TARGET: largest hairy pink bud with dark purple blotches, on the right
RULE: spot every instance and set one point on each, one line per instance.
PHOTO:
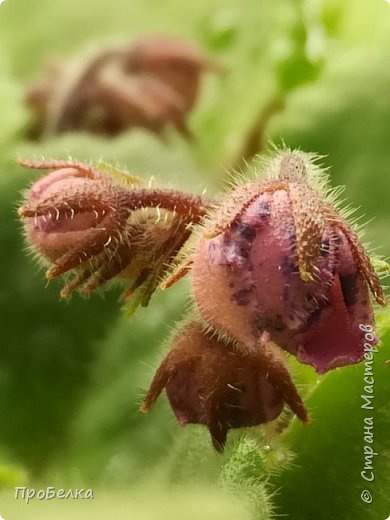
(277, 257)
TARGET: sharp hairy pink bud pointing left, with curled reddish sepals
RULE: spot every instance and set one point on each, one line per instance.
(106, 224)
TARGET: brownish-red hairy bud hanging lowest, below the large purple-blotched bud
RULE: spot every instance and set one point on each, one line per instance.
(211, 382)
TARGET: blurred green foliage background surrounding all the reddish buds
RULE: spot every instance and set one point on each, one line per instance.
(72, 374)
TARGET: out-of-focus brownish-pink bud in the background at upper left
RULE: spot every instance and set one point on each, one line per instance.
(152, 83)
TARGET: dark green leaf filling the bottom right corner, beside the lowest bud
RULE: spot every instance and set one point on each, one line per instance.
(326, 480)
